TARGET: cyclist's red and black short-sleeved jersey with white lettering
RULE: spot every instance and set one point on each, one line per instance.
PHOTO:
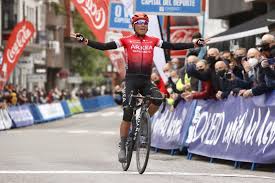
(139, 53)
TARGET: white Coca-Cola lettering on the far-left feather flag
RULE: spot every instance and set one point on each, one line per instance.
(21, 38)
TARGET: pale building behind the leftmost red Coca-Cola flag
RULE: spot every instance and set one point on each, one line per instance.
(14, 11)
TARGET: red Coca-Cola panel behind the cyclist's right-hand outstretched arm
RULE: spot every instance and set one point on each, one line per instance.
(181, 34)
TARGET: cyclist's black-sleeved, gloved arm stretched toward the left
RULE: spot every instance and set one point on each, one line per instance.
(94, 44)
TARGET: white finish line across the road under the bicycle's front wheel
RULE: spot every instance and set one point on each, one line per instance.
(133, 173)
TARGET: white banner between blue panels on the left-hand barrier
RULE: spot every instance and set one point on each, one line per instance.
(51, 111)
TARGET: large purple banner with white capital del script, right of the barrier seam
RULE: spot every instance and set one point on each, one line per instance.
(235, 129)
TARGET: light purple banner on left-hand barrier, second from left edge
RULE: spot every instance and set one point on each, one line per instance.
(21, 115)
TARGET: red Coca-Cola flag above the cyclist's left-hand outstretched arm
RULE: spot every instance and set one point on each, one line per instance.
(95, 14)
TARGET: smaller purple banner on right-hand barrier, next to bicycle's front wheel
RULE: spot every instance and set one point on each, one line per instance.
(169, 129)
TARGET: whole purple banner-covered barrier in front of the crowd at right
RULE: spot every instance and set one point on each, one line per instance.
(237, 129)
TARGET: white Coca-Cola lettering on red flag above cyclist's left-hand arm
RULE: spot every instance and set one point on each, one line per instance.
(96, 14)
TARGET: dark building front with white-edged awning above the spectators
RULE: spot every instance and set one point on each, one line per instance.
(247, 21)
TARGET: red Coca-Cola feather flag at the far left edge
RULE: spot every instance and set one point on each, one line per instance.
(19, 38)
